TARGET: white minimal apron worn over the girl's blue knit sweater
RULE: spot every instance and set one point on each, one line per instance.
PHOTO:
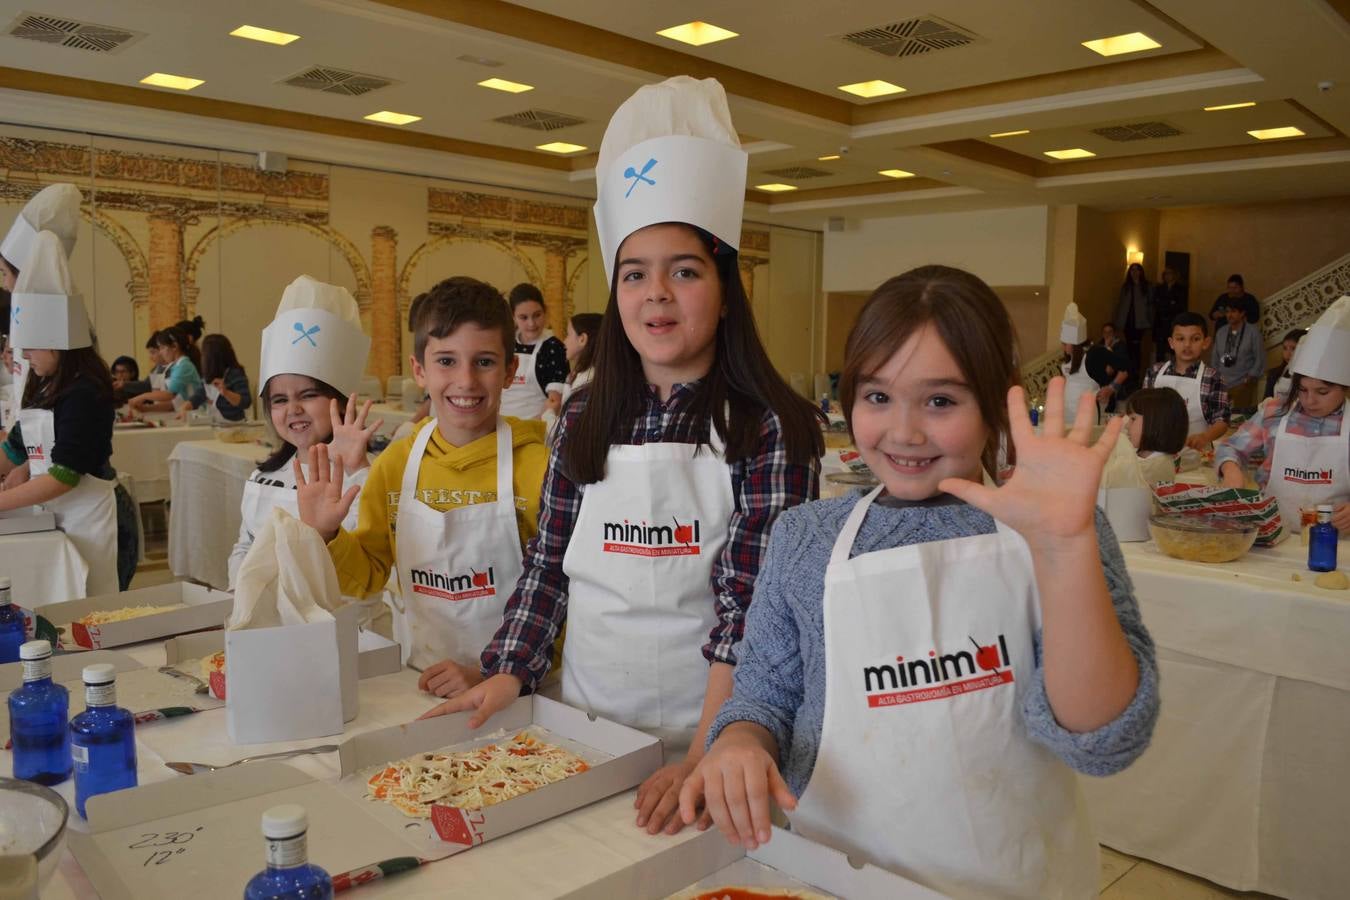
(925, 766)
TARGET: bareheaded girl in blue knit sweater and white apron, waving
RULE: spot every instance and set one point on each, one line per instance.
(970, 647)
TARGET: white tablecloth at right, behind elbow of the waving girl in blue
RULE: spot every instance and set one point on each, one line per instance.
(1247, 781)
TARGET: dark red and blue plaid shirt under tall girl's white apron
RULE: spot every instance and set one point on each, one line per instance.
(763, 486)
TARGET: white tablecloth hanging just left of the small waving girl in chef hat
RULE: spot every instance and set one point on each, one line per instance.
(209, 485)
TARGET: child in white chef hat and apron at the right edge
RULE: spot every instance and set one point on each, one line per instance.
(1305, 441)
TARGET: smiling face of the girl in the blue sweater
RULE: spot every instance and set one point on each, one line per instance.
(917, 422)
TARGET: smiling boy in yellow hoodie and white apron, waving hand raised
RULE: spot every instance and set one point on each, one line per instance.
(450, 507)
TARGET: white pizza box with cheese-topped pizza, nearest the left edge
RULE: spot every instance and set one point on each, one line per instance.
(205, 609)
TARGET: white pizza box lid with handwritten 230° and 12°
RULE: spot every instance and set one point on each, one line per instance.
(200, 837)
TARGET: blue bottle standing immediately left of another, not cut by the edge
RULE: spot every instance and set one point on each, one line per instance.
(38, 716)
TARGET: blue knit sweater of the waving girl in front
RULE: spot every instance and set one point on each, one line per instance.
(781, 662)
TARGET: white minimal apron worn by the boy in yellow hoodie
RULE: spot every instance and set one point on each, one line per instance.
(456, 569)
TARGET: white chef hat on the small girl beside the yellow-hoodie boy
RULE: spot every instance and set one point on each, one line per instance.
(318, 334)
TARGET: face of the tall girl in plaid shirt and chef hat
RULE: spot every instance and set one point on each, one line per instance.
(670, 302)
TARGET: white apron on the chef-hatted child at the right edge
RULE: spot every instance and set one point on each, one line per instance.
(1306, 472)
